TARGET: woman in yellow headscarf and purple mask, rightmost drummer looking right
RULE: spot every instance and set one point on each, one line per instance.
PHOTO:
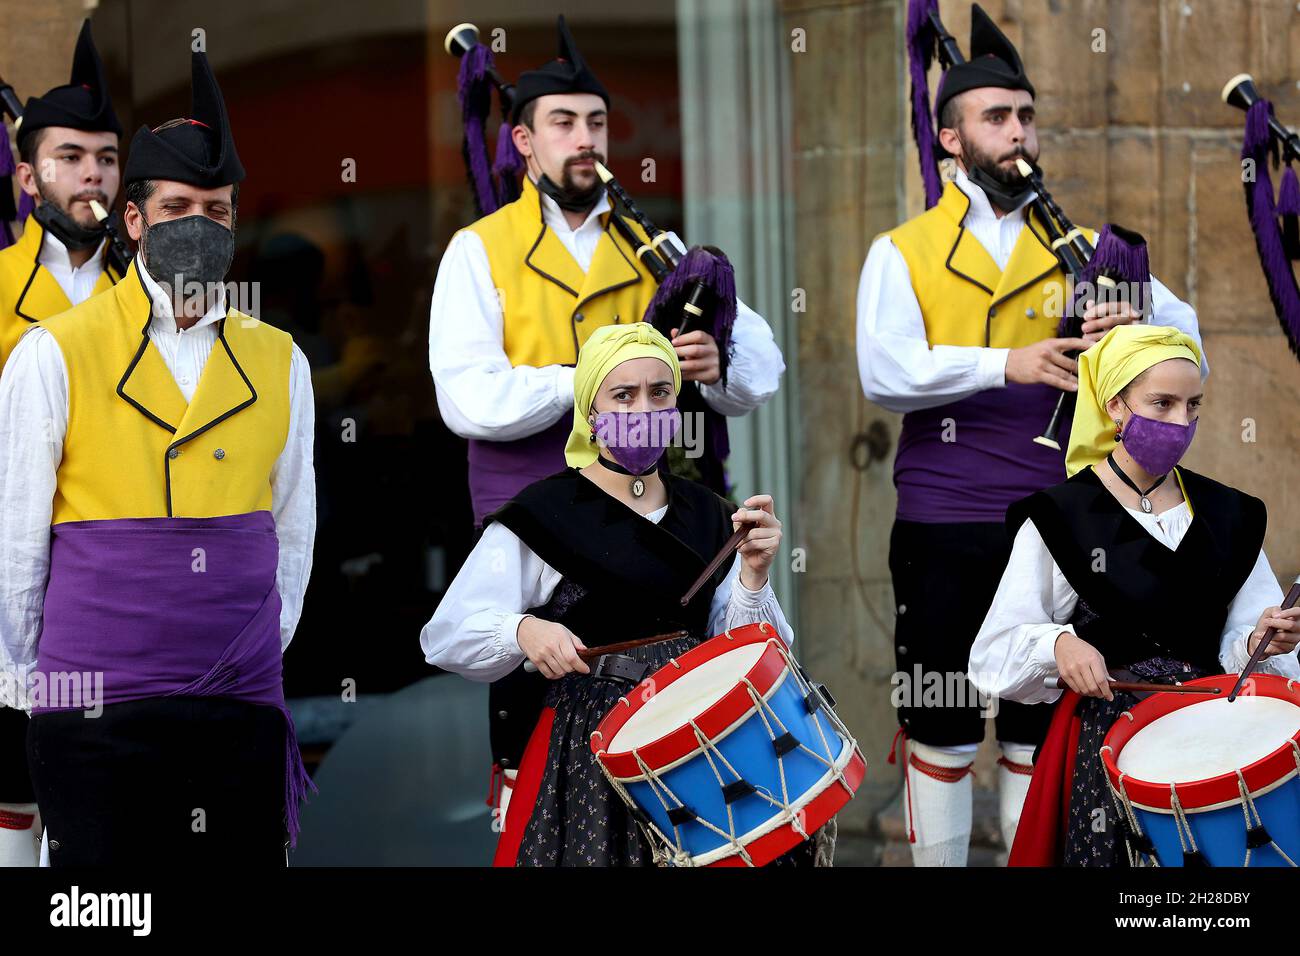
(1134, 569)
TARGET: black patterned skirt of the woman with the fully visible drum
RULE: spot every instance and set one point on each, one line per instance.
(578, 819)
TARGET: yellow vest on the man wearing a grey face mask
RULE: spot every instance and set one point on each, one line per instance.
(135, 447)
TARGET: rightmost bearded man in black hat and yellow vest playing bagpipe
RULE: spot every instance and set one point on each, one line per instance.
(957, 330)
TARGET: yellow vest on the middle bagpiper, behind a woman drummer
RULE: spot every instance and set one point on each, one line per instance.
(551, 306)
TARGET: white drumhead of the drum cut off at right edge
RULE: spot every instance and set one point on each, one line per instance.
(1208, 739)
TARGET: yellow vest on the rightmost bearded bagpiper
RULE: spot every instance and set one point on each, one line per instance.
(965, 299)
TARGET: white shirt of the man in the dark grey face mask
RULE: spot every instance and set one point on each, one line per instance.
(33, 426)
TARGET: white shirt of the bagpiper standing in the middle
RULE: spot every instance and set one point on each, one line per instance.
(483, 396)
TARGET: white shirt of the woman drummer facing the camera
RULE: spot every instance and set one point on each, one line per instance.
(474, 633)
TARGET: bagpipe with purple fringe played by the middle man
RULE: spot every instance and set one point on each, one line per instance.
(696, 287)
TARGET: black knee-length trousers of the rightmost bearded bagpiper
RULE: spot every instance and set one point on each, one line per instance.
(944, 579)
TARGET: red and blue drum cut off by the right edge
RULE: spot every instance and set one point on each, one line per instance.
(1199, 781)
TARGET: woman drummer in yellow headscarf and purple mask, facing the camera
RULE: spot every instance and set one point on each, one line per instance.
(597, 555)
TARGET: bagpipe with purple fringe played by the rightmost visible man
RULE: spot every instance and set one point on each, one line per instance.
(1116, 269)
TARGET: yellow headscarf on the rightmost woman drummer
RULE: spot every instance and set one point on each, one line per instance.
(1123, 354)
